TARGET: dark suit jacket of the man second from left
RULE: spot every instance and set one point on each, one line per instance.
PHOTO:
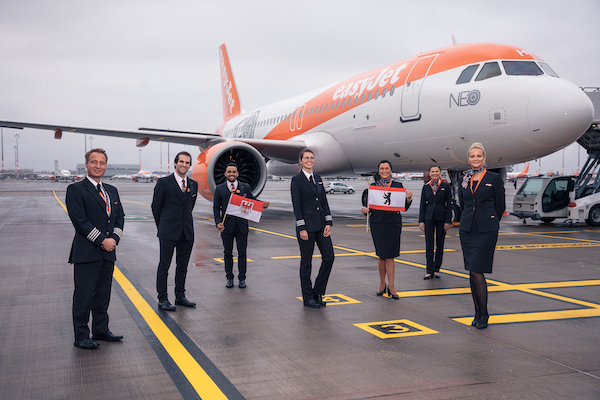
(172, 208)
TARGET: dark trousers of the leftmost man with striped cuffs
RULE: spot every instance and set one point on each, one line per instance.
(93, 282)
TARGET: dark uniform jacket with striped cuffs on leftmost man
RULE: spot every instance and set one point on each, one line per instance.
(87, 211)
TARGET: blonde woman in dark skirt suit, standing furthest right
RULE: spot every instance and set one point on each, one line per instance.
(482, 202)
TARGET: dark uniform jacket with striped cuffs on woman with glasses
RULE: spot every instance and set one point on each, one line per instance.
(310, 204)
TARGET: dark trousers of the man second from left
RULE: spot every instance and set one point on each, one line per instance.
(182, 257)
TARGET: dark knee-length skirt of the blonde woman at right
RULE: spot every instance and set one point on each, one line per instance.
(478, 249)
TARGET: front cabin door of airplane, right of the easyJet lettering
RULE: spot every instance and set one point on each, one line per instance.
(411, 89)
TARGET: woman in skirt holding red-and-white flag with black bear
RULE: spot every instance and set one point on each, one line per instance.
(385, 201)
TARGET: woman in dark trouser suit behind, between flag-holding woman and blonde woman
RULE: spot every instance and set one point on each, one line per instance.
(435, 215)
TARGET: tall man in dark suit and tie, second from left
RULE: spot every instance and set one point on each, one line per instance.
(172, 204)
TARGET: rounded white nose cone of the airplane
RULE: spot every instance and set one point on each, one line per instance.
(559, 113)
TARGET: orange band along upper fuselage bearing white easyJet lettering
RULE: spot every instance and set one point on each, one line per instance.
(384, 78)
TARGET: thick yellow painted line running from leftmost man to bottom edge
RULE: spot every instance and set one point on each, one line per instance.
(198, 378)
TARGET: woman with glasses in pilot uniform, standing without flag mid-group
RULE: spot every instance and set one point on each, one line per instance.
(313, 225)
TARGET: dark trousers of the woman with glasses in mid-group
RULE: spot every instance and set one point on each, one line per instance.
(307, 247)
